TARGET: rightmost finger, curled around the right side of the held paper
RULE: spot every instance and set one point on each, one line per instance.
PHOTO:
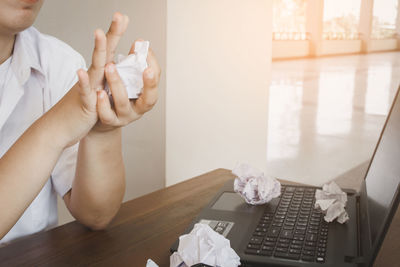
(149, 96)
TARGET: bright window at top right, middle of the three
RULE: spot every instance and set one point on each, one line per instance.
(341, 19)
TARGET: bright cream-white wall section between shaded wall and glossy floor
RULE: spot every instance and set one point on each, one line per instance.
(218, 62)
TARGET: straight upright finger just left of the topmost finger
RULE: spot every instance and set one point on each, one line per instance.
(96, 70)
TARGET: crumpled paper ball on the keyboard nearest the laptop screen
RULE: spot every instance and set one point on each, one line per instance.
(332, 201)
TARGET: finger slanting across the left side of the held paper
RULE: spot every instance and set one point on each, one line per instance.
(118, 91)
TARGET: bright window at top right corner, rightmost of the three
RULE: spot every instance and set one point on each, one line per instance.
(384, 19)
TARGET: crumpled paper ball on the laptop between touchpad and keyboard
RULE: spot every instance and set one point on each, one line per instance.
(254, 186)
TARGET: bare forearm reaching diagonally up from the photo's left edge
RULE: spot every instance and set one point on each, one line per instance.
(27, 165)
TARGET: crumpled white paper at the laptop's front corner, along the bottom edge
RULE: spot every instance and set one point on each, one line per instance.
(204, 245)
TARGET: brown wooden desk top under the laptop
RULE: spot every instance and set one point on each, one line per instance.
(143, 228)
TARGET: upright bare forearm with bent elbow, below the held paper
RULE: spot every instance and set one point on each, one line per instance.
(99, 184)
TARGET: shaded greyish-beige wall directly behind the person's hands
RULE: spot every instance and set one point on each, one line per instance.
(74, 22)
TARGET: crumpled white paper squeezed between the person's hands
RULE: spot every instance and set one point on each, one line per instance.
(130, 68)
